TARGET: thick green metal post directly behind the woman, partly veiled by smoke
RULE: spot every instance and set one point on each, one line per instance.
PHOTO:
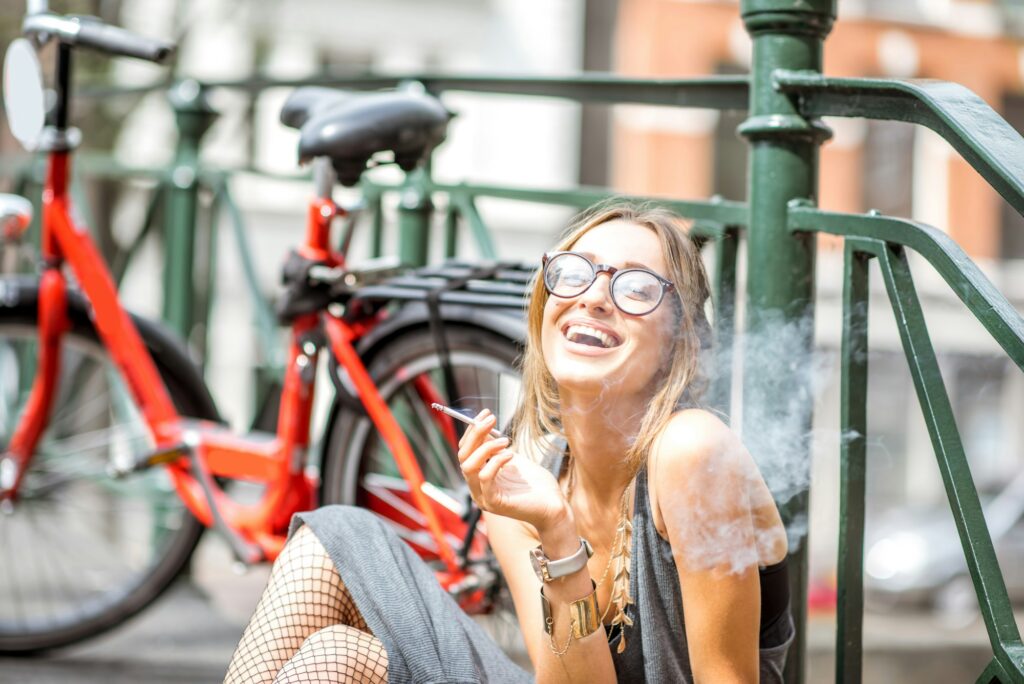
(786, 34)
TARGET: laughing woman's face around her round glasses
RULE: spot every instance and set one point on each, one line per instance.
(632, 350)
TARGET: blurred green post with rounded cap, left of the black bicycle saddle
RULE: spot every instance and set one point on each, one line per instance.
(194, 116)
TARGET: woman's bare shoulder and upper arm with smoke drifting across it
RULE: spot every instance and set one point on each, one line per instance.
(721, 524)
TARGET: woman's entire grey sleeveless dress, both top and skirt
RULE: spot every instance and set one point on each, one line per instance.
(430, 639)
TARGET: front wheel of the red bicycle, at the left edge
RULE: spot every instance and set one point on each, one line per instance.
(83, 552)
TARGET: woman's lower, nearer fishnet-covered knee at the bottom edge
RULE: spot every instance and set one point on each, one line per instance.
(337, 654)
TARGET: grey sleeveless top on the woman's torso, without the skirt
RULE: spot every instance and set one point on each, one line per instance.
(656, 645)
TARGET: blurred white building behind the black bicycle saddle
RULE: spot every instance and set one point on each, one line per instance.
(493, 140)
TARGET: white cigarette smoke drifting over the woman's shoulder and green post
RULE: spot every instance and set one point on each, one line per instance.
(727, 508)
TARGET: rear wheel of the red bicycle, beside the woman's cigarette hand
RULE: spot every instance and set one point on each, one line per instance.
(360, 471)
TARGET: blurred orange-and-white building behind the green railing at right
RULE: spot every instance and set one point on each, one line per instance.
(899, 169)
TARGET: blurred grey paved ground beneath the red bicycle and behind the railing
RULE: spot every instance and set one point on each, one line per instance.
(189, 637)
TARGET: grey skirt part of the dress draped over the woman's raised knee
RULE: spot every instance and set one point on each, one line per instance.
(428, 637)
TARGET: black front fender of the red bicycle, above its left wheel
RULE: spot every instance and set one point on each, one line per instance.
(22, 294)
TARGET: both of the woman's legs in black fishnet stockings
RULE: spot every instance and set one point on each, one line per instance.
(307, 626)
